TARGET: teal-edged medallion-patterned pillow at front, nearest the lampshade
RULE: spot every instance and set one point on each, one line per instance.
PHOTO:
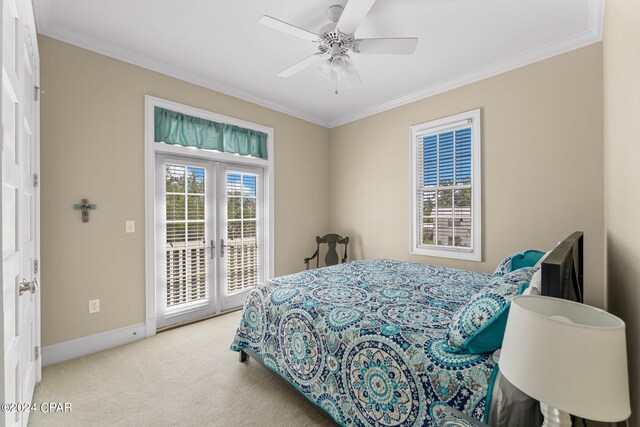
(478, 326)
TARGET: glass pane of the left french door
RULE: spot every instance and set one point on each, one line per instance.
(185, 244)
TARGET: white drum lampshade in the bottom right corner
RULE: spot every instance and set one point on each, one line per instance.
(568, 355)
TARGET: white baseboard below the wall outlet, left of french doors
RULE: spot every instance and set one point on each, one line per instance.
(71, 349)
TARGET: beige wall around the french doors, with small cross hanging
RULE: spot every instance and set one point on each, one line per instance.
(93, 146)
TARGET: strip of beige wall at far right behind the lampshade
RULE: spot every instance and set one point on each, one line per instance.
(622, 173)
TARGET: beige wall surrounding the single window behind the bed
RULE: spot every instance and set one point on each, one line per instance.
(541, 165)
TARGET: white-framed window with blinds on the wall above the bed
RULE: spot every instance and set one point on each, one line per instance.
(446, 187)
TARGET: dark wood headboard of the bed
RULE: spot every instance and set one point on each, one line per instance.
(562, 270)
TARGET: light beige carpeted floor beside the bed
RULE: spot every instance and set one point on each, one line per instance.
(186, 376)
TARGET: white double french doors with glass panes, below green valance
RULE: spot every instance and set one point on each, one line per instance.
(209, 236)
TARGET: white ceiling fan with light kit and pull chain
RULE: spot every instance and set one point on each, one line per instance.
(336, 41)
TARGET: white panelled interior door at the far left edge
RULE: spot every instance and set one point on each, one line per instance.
(20, 231)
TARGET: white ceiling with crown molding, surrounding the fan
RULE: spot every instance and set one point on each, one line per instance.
(219, 44)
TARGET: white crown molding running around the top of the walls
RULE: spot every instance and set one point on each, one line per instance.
(590, 36)
